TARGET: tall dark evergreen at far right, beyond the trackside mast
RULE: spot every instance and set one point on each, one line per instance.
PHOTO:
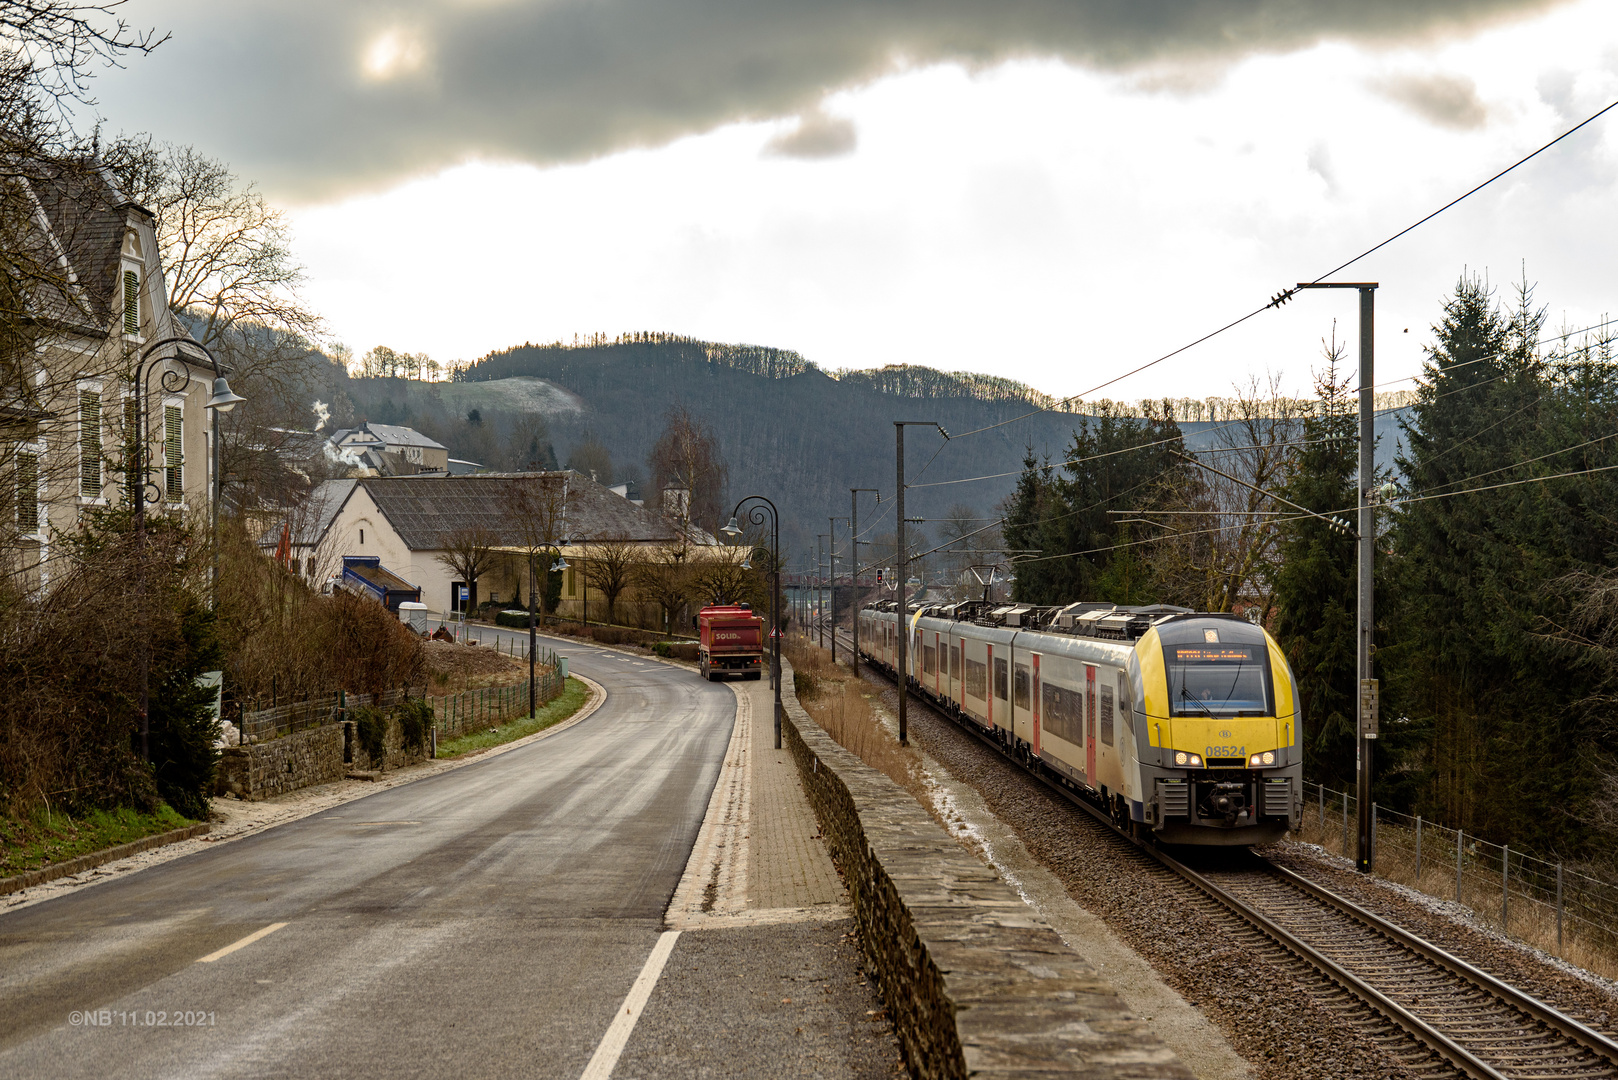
(1499, 708)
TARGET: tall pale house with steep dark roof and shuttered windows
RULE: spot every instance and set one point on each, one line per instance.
(109, 375)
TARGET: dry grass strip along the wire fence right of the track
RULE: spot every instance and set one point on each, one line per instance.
(1530, 921)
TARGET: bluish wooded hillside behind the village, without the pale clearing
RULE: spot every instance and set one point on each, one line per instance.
(789, 430)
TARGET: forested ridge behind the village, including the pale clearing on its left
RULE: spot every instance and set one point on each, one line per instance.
(789, 430)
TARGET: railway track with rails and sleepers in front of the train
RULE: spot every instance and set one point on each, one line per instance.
(1428, 1010)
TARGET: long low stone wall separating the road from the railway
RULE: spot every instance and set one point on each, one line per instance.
(978, 982)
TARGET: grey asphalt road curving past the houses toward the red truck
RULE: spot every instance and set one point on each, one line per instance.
(486, 922)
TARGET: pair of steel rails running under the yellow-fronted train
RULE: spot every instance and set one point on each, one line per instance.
(1413, 1026)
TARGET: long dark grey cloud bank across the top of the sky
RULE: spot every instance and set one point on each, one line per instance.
(284, 93)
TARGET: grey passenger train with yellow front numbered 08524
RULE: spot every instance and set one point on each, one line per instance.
(1184, 726)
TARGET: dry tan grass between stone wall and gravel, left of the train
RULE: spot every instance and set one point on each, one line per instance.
(847, 710)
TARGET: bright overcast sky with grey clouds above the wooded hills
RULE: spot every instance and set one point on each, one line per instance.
(1048, 190)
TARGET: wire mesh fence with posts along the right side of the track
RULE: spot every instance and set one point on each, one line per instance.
(1548, 903)
